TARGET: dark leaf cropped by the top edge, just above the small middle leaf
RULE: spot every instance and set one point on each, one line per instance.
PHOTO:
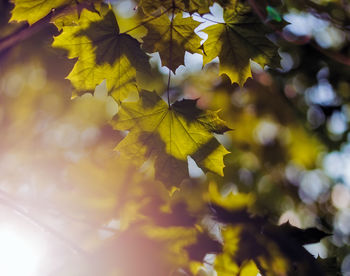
(191, 6)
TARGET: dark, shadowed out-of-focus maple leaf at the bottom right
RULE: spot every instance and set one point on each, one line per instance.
(259, 235)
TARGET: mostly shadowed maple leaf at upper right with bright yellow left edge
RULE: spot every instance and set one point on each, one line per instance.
(237, 41)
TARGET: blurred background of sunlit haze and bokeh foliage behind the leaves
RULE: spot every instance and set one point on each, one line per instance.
(59, 175)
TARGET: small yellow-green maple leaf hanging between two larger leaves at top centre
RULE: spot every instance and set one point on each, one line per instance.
(171, 39)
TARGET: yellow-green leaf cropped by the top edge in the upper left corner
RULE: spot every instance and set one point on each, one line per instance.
(34, 10)
